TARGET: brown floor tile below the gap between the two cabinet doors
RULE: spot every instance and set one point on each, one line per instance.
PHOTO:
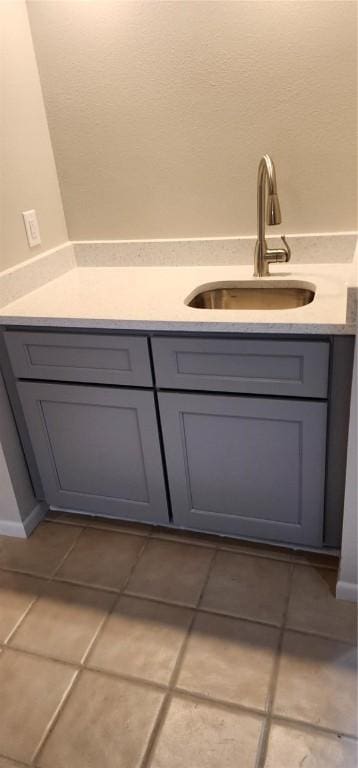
(171, 571)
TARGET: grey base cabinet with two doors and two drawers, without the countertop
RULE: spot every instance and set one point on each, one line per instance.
(242, 435)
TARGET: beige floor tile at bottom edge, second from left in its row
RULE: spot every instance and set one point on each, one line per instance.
(106, 723)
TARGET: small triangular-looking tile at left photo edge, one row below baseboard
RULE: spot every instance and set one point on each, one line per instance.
(17, 592)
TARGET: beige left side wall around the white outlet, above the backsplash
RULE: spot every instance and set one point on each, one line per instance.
(28, 175)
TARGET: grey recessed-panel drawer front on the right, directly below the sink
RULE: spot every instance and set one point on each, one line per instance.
(291, 368)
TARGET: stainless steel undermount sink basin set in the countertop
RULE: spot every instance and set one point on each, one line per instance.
(252, 296)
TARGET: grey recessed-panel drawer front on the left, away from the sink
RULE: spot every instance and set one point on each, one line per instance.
(93, 358)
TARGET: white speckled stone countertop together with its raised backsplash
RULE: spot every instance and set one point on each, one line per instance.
(145, 286)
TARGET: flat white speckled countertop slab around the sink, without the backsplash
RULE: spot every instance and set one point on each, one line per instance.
(153, 298)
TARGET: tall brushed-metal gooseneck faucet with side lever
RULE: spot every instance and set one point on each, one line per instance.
(264, 255)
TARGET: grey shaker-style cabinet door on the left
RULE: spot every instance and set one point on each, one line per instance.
(97, 449)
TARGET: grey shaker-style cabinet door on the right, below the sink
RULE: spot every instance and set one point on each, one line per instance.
(246, 466)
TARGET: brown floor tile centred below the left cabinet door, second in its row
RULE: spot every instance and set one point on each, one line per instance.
(102, 558)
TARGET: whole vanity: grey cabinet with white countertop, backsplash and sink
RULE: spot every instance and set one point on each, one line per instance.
(195, 397)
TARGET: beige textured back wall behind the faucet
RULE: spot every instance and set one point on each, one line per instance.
(159, 112)
